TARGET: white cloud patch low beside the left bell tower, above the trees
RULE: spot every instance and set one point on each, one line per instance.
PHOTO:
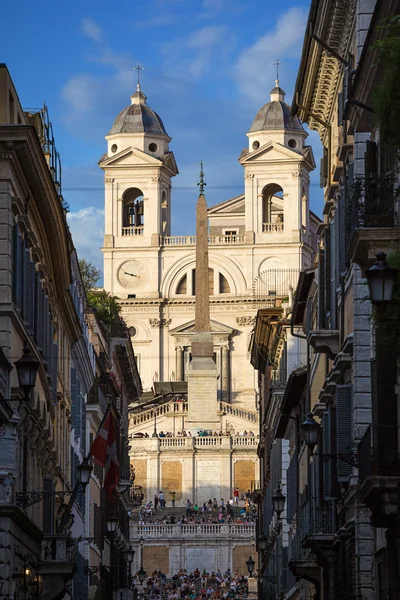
(87, 228)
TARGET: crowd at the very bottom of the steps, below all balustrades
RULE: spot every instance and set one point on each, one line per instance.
(194, 585)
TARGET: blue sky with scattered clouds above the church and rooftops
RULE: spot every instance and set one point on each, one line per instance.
(208, 69)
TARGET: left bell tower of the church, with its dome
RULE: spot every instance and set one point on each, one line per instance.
(138, 167)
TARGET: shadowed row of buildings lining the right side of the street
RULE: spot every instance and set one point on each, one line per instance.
(339, 413)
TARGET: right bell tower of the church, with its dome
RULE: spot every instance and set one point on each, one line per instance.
(276, 165)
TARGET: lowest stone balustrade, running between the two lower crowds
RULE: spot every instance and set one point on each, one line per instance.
(224, 530)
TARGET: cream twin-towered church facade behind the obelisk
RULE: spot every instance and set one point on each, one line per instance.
(258, 242)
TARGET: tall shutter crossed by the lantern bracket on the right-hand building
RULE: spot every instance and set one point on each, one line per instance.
(344, 429)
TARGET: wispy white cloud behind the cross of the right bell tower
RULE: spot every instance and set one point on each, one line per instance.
(255, 72)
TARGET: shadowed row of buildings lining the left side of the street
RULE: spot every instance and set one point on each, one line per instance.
(52, 534)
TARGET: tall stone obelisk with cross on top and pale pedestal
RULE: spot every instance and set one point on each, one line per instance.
(202, 373)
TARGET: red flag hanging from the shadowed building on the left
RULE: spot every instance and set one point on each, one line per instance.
(105, 453)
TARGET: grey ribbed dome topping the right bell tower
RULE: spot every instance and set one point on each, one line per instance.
(275, 114)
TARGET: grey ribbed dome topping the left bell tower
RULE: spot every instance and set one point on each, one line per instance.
(138, 118)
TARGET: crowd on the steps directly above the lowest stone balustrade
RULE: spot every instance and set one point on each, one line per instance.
(213, 511)
